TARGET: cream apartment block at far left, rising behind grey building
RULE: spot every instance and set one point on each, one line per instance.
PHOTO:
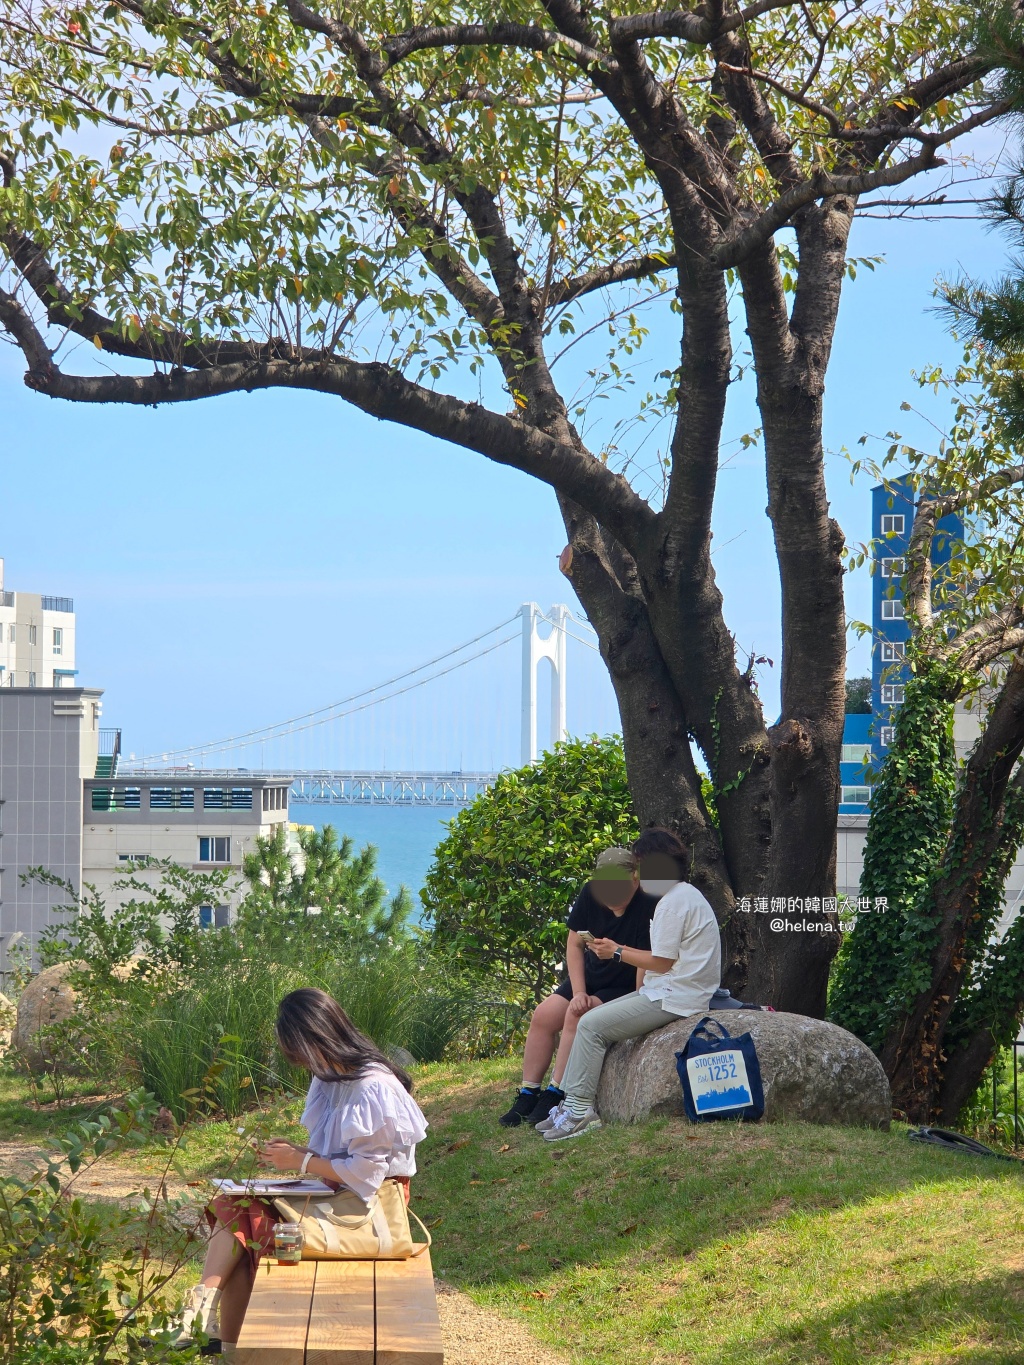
(38, 640)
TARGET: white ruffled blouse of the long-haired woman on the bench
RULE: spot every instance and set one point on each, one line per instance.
(368, 1130)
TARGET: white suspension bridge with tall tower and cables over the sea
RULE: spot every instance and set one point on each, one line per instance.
(477, 715)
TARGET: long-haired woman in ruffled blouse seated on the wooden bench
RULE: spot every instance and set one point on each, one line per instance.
(364, 1128)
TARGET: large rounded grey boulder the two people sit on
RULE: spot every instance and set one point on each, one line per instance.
(812, 1071)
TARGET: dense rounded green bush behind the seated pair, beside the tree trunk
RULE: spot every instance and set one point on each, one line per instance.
(504, 878)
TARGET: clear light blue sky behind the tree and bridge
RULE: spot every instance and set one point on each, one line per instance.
(248, 559)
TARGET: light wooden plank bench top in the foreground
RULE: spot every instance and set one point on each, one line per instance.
(343, 1314)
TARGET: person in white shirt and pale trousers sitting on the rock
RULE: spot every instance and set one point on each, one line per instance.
(681, 974)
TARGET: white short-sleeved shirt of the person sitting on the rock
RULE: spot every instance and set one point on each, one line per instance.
(685, 929)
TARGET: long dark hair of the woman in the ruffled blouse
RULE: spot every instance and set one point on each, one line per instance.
(315, 1033)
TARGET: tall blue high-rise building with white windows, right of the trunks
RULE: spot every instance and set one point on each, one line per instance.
(866, 738)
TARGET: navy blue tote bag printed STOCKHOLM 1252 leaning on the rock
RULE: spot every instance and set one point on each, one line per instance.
(720, 1075)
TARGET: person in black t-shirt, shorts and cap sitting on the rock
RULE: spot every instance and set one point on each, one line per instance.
(611, 906)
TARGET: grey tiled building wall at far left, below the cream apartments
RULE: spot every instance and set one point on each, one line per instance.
(48, 745)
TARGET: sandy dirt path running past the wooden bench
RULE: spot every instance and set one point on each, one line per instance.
(473, 1336)
